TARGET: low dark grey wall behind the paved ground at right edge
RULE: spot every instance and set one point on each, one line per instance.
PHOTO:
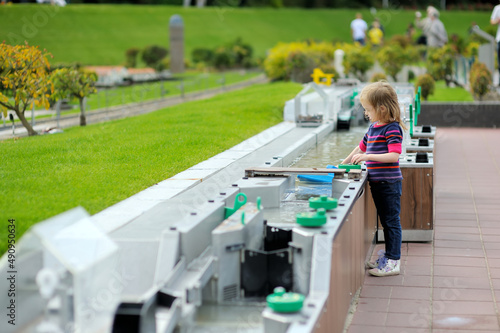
(460, 114)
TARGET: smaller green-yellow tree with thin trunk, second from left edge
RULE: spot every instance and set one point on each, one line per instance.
(74, 83)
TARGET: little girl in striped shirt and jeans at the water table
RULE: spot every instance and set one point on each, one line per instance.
(380, 148)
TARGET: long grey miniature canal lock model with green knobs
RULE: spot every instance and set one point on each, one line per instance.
(231, 244)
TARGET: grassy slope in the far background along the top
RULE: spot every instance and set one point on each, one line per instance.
(100, 34)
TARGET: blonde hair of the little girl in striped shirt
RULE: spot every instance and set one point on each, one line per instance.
(379, 94)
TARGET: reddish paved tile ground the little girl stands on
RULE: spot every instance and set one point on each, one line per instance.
(453, 283)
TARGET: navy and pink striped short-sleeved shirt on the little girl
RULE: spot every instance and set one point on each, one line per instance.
(382, 139)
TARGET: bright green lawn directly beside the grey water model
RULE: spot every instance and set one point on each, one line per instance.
(99, 165)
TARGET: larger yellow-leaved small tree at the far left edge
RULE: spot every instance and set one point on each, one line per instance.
(24, 80)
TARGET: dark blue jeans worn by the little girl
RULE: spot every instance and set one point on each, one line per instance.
(387, 198)
